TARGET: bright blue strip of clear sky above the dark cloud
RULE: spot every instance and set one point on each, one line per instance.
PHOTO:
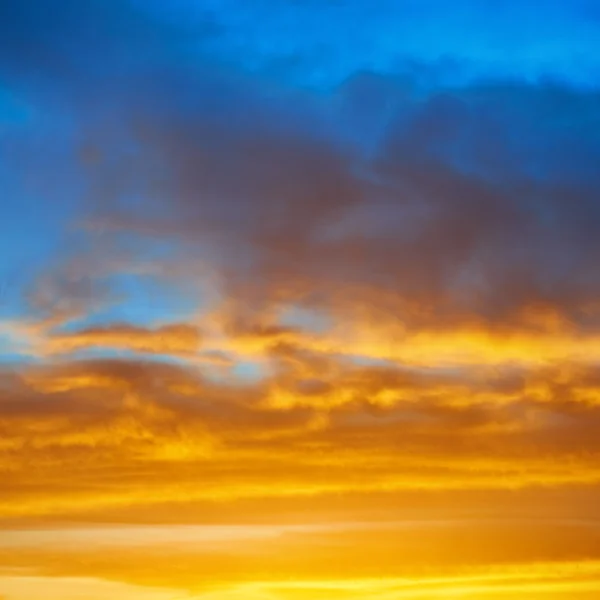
(320, 44)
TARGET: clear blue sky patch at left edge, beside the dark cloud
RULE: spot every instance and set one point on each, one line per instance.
(39, 189)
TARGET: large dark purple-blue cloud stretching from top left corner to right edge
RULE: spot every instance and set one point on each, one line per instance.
(474, 199)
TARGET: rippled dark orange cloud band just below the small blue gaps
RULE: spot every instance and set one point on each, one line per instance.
(87, 435)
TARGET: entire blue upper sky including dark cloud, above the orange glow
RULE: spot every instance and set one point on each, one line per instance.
(109, 113)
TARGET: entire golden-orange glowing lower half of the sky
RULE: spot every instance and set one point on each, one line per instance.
(290, 485)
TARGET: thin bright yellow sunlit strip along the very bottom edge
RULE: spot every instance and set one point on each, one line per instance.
(577, 580)
